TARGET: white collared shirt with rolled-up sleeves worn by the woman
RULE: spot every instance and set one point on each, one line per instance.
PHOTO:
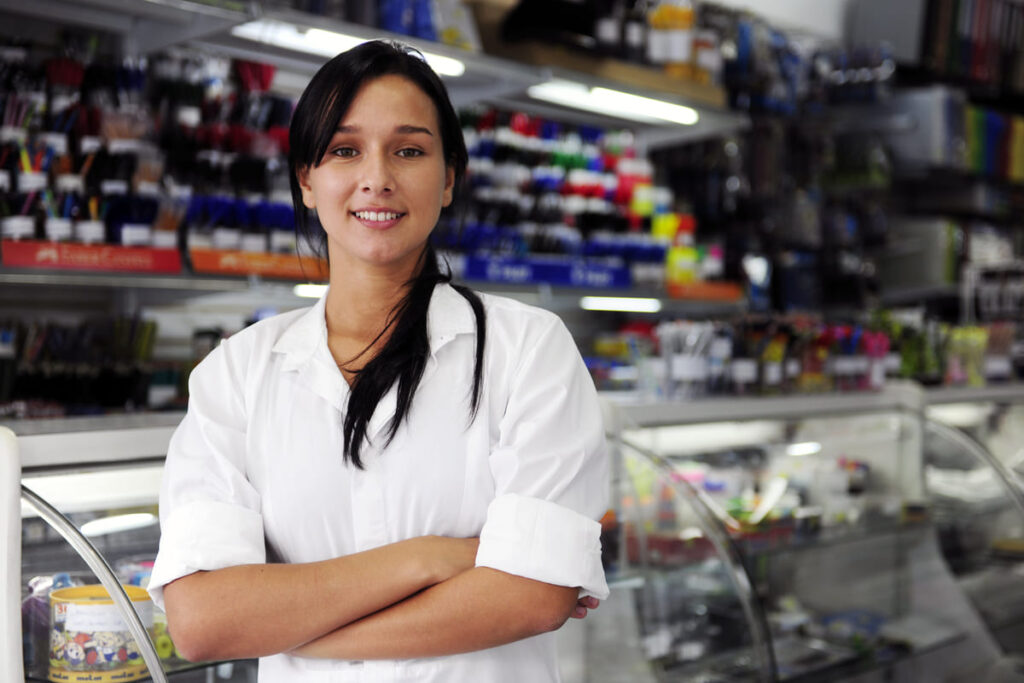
(257, 467)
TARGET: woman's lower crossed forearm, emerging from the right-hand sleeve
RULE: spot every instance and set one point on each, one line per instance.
(475, 611)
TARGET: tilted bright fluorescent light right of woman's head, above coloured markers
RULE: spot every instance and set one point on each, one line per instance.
(613, 103)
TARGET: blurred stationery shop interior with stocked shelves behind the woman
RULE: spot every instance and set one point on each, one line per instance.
(802, 298)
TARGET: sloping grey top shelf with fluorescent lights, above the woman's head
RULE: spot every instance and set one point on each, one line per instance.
(149, 26)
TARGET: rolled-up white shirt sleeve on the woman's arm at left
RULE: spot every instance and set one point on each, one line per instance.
(209, 511)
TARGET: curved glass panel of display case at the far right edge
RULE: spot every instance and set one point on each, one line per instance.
(978, 503)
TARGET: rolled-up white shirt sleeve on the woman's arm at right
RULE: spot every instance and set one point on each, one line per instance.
(550, 471)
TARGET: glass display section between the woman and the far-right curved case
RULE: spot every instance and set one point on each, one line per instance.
(829, 519)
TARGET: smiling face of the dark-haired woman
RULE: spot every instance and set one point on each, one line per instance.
(383, 182)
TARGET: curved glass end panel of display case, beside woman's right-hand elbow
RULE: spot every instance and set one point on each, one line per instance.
(684, 608)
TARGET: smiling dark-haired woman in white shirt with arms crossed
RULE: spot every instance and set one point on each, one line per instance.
(403, 482)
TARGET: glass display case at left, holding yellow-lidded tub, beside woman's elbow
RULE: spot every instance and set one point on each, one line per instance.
(83, 496)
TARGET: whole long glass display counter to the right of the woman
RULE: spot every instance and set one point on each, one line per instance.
(855, 552)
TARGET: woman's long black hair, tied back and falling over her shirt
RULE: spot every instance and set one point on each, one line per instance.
(320, 110)
